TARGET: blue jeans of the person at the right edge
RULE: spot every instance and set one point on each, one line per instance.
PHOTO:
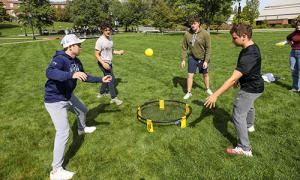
(295, 67)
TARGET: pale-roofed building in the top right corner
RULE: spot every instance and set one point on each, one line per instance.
(279, 12)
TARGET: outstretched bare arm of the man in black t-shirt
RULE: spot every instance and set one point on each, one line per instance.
(211, 100)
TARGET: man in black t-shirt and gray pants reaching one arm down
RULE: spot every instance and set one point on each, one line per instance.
(248, 75)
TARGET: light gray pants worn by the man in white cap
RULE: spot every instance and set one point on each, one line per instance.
(59, 114)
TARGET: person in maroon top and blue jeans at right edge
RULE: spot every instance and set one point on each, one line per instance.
(294, 41)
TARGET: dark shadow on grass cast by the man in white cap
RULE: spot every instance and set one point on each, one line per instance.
(90, 121)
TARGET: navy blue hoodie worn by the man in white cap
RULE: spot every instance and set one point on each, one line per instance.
(60, 84)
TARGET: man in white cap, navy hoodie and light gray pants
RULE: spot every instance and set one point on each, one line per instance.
(62, 73)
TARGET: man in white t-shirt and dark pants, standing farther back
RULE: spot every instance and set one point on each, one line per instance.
(104, 53)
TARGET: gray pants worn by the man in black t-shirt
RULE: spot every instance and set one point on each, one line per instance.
(243, 116)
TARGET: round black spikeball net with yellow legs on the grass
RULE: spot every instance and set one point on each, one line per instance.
(164, 112)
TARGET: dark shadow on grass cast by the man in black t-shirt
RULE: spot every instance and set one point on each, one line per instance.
(221, 118)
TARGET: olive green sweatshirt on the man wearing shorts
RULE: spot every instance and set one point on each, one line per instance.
(196, 44)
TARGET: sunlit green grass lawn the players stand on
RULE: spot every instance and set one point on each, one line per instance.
(121, 148)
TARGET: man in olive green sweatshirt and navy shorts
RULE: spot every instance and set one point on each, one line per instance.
(196, 44)
